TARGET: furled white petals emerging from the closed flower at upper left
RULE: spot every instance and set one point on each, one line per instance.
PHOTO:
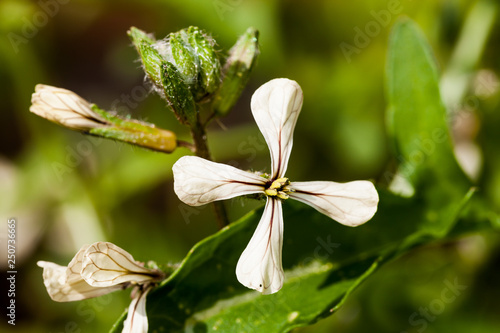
(65, 108)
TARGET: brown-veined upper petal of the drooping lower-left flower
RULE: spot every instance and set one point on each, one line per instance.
(105, 264)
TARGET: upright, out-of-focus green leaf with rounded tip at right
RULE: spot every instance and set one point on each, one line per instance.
(418, 123)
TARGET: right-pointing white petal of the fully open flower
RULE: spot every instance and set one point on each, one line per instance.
(351, 203)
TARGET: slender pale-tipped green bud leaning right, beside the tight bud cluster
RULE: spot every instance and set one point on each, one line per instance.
(236, 72)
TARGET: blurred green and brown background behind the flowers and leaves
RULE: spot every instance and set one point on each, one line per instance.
(66, 189)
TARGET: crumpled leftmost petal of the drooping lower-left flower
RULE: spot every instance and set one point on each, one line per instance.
(65, 284)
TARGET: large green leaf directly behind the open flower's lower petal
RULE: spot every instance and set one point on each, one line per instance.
(323, 261)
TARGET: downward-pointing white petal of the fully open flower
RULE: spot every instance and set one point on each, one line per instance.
(259, 266)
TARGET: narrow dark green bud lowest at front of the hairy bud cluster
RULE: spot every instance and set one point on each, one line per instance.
(178, 95)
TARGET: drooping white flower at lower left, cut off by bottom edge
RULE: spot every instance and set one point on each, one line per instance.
(99, 269)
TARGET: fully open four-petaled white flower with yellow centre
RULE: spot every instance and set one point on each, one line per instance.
(275, 106)
